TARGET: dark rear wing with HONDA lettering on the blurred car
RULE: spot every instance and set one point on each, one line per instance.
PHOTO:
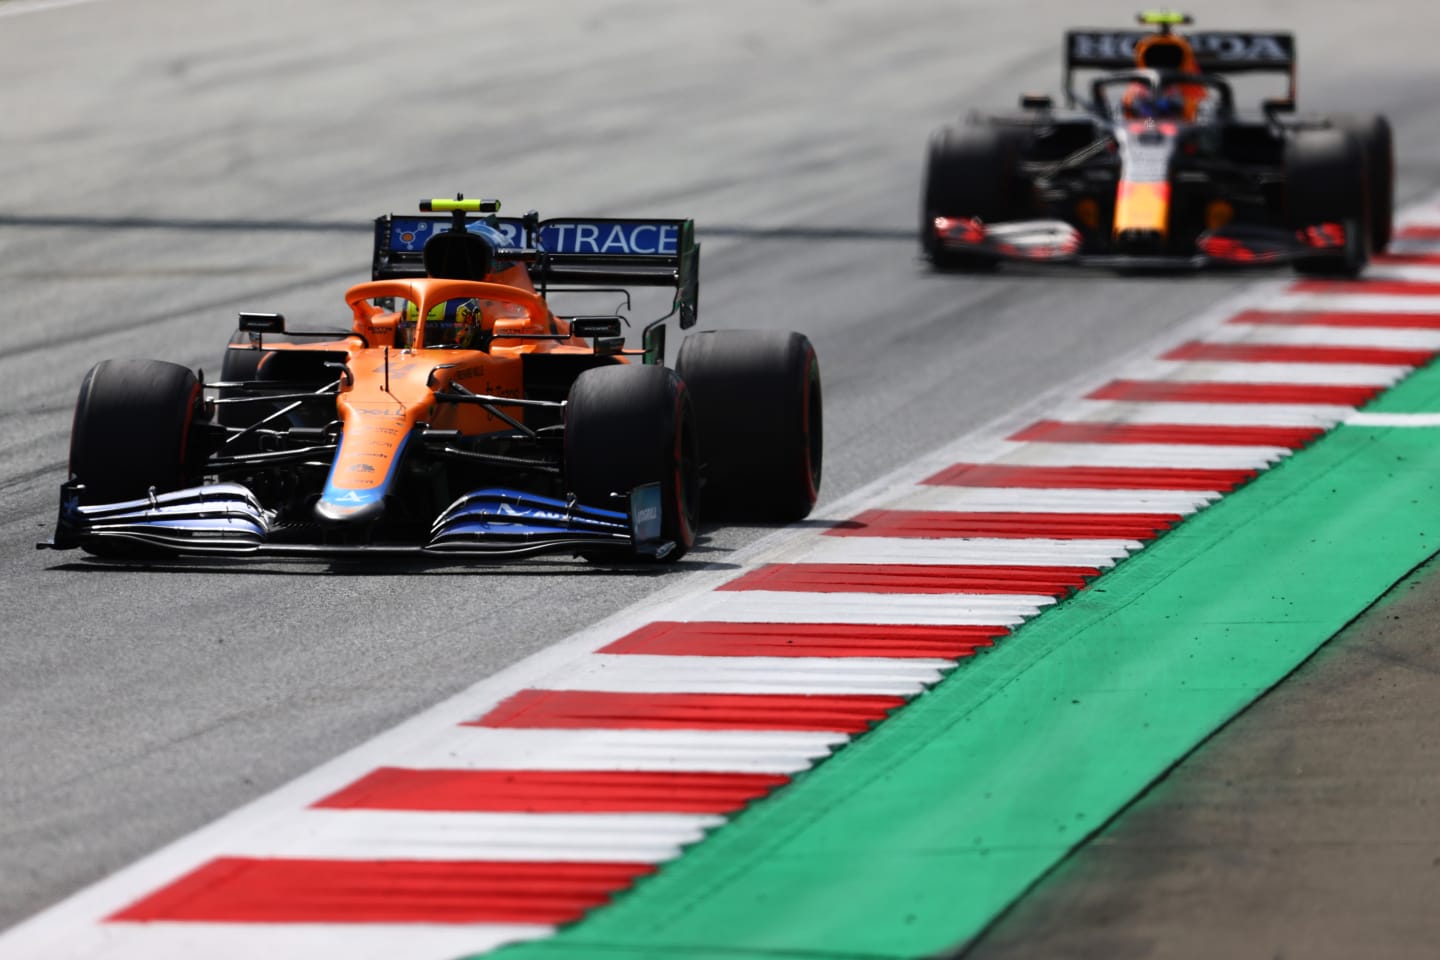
(1216, 53)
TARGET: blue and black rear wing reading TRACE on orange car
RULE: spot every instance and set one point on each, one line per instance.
(564, 253)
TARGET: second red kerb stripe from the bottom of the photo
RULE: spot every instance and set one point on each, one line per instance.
(552, 791)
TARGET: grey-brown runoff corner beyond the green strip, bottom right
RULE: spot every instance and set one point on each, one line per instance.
(1310, 827)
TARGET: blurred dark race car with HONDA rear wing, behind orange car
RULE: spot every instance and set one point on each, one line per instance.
(1154, 163)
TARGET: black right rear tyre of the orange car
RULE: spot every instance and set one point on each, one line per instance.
(758, 404)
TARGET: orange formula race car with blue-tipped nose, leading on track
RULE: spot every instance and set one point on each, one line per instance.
(459, 415)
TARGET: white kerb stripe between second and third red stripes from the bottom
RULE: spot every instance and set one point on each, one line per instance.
(652, 751)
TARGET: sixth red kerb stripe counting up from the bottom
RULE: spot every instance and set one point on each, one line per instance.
(928, 525)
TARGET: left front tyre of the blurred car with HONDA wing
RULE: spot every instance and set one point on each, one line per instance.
(970, 172)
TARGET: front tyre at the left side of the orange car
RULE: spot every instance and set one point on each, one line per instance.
(138, 427)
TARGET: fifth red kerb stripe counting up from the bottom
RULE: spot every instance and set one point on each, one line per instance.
(912, 578)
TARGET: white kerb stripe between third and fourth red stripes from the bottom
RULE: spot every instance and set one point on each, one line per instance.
(803, 676)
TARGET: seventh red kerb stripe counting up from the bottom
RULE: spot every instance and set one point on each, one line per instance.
(1089, 477)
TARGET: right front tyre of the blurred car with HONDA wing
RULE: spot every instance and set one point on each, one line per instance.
(1327, 182)
